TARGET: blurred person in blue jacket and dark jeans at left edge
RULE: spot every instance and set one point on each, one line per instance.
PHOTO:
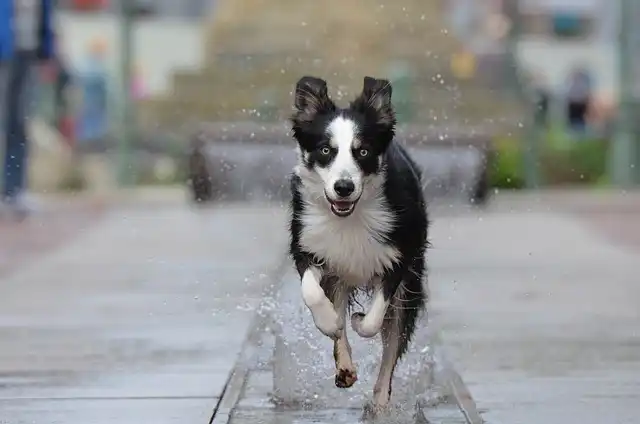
(26, 40)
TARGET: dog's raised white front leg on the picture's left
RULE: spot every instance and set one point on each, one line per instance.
(324, 314)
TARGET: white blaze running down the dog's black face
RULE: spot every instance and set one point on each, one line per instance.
(342, 136)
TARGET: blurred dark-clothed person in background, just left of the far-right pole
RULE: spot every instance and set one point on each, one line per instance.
(578, 98)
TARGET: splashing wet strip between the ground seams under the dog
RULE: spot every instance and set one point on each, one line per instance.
(289, 377)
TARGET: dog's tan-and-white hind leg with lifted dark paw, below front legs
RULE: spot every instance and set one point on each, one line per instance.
(346, 374)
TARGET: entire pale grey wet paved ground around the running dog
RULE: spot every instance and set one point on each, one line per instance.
(140, 317)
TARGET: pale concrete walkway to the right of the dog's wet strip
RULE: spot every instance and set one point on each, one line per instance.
(540, 312)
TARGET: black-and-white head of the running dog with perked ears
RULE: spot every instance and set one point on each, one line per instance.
(343, 148)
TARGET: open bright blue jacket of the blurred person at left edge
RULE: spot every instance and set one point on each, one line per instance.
(45, 48)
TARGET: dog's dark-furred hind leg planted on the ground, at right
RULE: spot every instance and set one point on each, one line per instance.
(397, 330)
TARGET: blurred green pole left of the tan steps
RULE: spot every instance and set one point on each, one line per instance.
(126, 128)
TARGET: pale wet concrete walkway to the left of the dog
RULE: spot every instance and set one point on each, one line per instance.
(138, 320)
